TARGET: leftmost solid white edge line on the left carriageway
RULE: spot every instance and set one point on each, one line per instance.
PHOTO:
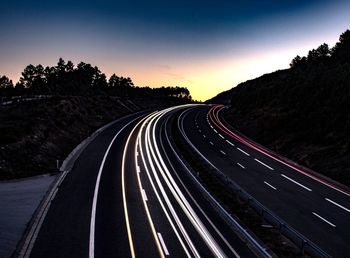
(94, 200)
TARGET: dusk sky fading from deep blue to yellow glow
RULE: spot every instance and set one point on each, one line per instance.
(206, 46)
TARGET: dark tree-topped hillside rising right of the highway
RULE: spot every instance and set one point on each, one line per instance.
(303, 112)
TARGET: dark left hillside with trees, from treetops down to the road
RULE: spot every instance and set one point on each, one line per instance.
(51, 110)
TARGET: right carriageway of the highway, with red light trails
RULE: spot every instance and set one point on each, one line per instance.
(316, 207)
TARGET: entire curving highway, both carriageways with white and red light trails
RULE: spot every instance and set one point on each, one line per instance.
(131, 194)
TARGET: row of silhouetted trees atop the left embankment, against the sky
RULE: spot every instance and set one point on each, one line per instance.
(82, 80)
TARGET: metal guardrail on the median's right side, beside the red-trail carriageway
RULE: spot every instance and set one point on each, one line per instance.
(303, 243)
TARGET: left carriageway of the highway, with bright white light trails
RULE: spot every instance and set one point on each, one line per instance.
(130, 195)
